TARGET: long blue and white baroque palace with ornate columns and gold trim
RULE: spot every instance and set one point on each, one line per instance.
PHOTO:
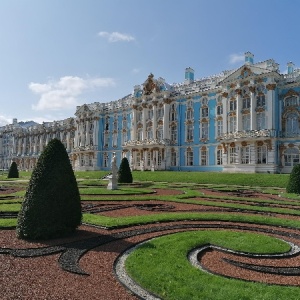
(243, 120)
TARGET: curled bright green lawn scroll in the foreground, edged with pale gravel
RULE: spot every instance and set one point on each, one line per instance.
(161, 266)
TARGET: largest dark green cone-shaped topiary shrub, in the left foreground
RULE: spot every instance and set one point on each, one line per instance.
(51, 206)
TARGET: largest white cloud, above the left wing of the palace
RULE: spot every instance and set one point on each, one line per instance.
(65, 92)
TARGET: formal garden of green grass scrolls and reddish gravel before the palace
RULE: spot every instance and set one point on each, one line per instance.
(166, 235)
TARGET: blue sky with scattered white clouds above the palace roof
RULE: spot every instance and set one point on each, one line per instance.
(59, 54)
